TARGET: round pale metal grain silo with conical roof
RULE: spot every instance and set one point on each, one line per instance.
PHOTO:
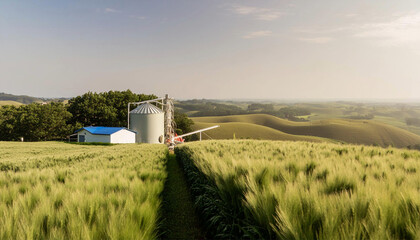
(148, 121)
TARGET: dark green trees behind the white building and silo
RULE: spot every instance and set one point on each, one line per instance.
(55, 121)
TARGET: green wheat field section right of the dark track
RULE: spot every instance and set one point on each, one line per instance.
(302, 190)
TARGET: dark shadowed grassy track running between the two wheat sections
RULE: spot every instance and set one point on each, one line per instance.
(179, 220)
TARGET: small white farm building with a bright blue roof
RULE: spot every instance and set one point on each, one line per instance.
(106, 135)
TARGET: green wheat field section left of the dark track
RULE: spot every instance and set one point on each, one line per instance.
(67, 191)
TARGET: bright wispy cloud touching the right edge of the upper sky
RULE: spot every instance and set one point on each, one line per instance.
(400, 31)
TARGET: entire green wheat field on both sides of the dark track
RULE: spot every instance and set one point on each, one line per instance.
(241, 189)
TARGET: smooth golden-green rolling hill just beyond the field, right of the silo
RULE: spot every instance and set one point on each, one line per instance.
(351, 131)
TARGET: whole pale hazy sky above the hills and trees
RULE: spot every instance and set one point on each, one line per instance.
(212, 48)
